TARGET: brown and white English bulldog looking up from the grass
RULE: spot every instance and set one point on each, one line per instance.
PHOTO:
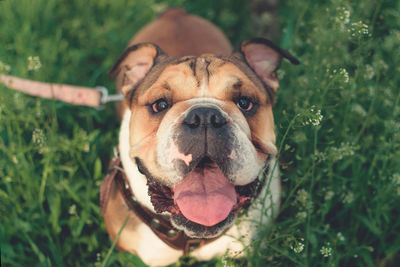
(197, 142)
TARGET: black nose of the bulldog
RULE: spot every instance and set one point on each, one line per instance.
(204, 117)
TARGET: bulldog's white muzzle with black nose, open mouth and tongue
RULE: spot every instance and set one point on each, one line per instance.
(212, 170)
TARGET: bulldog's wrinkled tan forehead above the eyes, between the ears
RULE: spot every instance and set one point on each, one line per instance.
(191, 75)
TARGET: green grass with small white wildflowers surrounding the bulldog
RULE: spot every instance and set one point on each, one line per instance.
(341, 176)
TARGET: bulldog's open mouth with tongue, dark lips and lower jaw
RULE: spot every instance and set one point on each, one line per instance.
(204, 202)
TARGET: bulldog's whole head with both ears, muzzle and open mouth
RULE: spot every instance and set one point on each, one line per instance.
(201, 129)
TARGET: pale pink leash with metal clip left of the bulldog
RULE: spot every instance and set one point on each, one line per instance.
(77, 95)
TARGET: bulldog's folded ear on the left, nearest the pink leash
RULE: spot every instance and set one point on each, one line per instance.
(134, 64)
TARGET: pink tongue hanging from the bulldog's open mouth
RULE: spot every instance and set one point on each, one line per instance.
(205, 196)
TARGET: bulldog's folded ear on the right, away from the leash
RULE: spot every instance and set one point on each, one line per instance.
(264, 57)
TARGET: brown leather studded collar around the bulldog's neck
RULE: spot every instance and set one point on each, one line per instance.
(159, 224)
